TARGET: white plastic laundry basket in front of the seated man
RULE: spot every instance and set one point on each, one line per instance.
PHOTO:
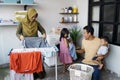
(80, 72)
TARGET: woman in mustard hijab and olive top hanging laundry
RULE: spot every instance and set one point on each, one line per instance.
(29, 27)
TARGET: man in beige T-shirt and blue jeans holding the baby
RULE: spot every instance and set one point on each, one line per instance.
(90, 46)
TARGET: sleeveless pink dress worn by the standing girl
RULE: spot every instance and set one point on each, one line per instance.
(64, 54)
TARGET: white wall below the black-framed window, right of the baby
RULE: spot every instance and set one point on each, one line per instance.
(112, 61)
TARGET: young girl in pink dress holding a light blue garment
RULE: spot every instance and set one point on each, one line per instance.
(67, 49)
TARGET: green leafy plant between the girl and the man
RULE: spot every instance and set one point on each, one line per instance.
(75, 33)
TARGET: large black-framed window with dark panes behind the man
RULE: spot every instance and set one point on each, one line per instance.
(104, 16)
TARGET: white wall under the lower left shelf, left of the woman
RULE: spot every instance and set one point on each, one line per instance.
(8, 40)
